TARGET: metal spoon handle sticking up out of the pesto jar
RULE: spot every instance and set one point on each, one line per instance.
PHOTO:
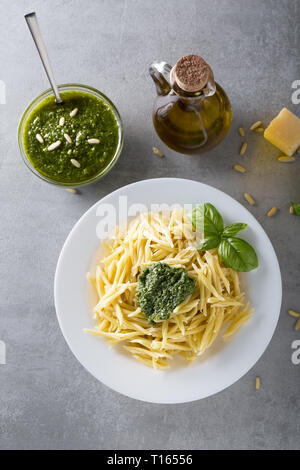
(34, 28)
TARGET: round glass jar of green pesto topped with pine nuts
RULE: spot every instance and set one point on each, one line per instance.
(73, 143)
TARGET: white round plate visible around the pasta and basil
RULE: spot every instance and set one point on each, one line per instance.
(226, 362)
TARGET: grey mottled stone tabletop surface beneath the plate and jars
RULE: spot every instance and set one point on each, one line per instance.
(47, 400)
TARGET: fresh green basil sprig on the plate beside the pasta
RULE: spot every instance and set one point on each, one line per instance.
(235, 253)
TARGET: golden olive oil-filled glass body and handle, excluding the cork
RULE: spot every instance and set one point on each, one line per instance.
(189, 122)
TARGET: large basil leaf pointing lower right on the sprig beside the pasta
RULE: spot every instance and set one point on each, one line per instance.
(237, 254)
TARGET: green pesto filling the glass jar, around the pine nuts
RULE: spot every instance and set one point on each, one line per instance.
(93, 120)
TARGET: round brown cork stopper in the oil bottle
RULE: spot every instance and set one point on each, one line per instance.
(191, 73)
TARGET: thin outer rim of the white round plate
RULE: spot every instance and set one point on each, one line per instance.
(245, 370)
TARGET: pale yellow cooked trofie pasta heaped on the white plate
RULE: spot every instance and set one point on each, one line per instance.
(213, 304)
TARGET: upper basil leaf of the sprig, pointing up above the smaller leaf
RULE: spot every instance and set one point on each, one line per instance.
(207, 220)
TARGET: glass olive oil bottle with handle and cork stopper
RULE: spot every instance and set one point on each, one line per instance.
(191, 113)
